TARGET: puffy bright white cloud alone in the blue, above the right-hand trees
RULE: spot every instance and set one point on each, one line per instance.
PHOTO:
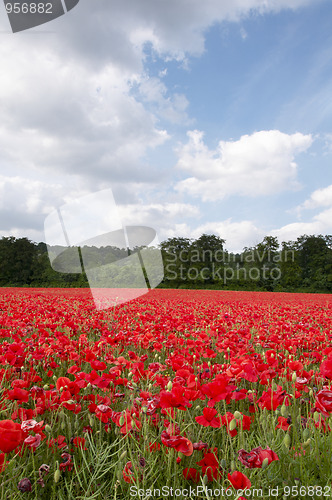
(256, 165)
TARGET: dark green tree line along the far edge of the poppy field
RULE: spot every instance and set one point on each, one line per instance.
(304, 265)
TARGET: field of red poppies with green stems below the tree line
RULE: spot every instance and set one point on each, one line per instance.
(177, 394)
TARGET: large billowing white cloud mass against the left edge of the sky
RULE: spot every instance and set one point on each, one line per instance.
(63, 117)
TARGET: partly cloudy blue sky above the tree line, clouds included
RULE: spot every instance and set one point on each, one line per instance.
(202, 117)
